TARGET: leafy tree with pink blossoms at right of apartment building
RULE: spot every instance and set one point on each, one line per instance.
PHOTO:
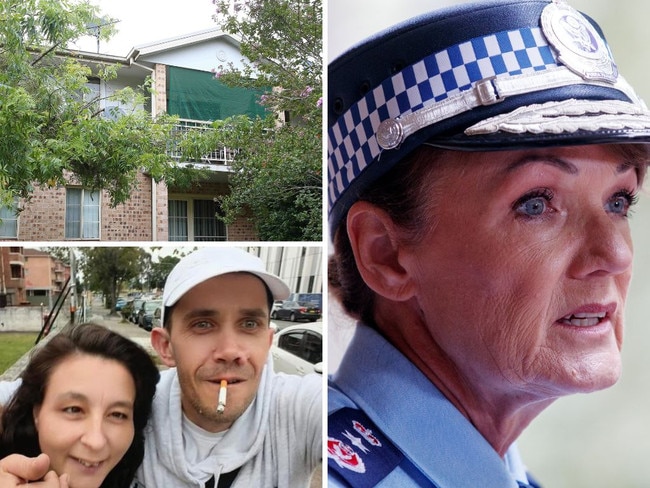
(277, 171)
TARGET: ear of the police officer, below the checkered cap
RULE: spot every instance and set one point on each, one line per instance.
(377, 250)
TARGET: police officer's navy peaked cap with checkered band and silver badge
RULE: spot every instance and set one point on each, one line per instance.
(544, 84)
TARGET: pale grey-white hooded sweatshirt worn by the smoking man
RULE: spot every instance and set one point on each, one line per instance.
(276, 442)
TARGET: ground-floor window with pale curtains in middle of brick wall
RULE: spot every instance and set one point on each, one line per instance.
(81, 214)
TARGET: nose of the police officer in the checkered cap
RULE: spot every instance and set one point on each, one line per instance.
(606, 246)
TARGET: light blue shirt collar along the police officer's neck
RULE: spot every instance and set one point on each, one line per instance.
(418, 419)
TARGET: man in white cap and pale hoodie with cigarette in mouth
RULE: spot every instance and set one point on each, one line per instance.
(222, 417)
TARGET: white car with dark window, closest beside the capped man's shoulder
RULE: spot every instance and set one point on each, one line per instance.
(298, 349)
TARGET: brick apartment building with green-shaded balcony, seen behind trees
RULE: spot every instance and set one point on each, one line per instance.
(181, 69)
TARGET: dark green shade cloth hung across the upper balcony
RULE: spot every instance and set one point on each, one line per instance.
(198, 95)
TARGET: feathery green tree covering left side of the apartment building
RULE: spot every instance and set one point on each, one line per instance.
(51, 128)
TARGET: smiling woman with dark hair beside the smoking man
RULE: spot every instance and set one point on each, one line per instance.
(84, 400)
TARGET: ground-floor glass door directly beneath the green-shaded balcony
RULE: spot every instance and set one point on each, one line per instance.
(195, 220)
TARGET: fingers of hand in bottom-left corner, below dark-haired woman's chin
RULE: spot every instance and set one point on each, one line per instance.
(17, 470)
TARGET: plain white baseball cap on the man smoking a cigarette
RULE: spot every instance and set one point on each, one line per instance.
(208, 262)
